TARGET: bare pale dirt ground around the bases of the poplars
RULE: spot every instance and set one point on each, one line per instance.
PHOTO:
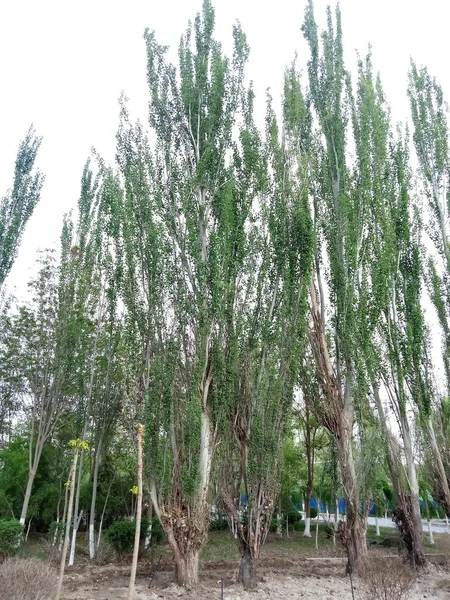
(285, 578)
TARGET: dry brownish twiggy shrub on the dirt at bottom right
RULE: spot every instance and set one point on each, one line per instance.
(386, 579)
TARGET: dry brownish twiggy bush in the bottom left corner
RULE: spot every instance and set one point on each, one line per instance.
(26, 579)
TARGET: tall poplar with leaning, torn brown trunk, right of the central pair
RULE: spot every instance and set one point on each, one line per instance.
(340, 213)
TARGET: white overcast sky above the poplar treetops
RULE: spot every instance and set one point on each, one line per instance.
(64, 64)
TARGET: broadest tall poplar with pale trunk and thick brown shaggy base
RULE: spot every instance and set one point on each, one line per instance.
(183, 240)
